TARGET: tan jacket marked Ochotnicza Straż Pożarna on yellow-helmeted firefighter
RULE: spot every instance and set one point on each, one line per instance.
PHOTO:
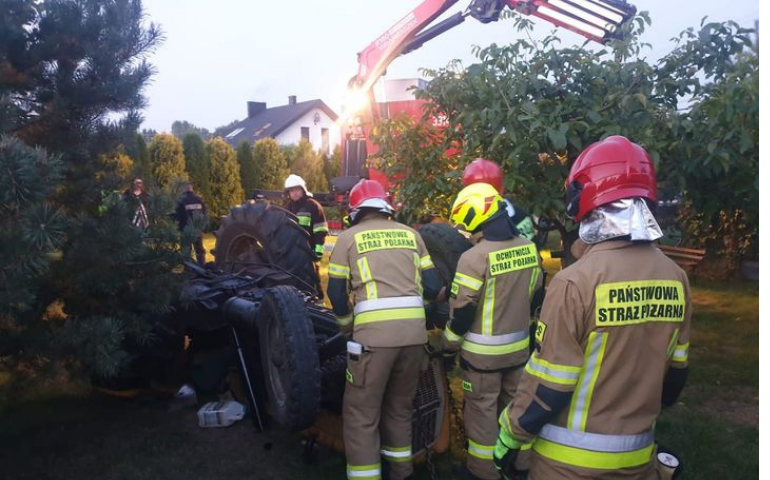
(500, 278)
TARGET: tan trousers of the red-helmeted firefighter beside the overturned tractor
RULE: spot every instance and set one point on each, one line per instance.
(377, 411)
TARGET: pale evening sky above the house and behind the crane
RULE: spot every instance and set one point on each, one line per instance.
(218, 55)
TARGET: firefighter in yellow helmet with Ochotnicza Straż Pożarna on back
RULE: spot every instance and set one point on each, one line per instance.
(489, 317)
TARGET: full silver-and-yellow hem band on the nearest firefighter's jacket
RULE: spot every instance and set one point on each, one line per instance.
(592, 450)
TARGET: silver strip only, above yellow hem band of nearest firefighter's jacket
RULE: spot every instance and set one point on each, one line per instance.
(597, 442)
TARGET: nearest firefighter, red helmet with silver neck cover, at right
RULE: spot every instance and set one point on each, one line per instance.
(614, 336)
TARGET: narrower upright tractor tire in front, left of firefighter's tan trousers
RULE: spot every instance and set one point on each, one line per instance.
(289, 358)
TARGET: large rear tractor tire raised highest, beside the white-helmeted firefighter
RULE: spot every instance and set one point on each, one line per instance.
(263, 234)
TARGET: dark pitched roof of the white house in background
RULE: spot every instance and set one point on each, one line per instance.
(270, 122)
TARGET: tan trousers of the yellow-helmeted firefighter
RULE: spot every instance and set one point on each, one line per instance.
(486, 395)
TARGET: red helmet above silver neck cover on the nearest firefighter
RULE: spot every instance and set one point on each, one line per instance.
(609, 170)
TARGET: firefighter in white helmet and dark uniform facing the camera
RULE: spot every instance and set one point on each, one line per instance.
(310, 215)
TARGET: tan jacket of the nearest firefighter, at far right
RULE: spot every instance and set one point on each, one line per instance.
(612, 324)
